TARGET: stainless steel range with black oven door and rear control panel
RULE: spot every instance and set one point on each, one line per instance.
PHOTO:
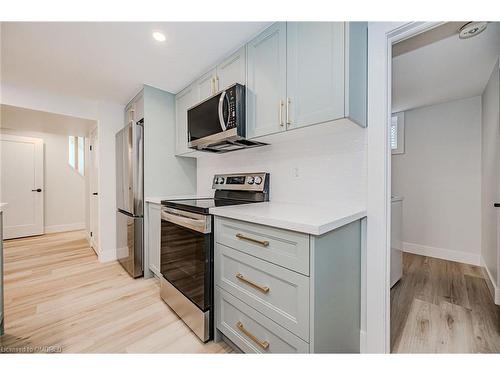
(187, 247)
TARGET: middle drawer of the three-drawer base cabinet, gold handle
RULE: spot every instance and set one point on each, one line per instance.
(278, 293)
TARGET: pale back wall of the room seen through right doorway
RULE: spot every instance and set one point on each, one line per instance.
(439, 176)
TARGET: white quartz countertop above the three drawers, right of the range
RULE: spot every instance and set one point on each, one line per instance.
(315, 220)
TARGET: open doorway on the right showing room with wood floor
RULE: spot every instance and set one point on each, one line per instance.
(439, 212)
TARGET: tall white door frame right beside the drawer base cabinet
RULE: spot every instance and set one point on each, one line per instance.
(381, 37)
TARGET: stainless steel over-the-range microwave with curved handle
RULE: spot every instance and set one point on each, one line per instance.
(218, 124)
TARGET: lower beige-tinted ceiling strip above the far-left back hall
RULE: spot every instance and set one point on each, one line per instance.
(44, 122)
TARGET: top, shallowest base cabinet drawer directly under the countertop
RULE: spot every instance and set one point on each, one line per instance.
(282, 247)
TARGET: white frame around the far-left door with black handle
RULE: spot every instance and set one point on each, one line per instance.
(39, 178)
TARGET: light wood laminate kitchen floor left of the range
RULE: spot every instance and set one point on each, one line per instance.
(58, 295)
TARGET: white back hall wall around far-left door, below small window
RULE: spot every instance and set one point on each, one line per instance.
(64, 188)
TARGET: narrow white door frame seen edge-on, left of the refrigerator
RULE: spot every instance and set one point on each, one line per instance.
(93, 184)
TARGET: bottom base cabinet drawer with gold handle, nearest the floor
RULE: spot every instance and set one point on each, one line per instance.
(251, 331)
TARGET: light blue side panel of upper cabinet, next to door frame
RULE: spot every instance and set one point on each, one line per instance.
(357, 72)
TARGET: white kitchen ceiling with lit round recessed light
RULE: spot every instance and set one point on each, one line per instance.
(111, 60)
